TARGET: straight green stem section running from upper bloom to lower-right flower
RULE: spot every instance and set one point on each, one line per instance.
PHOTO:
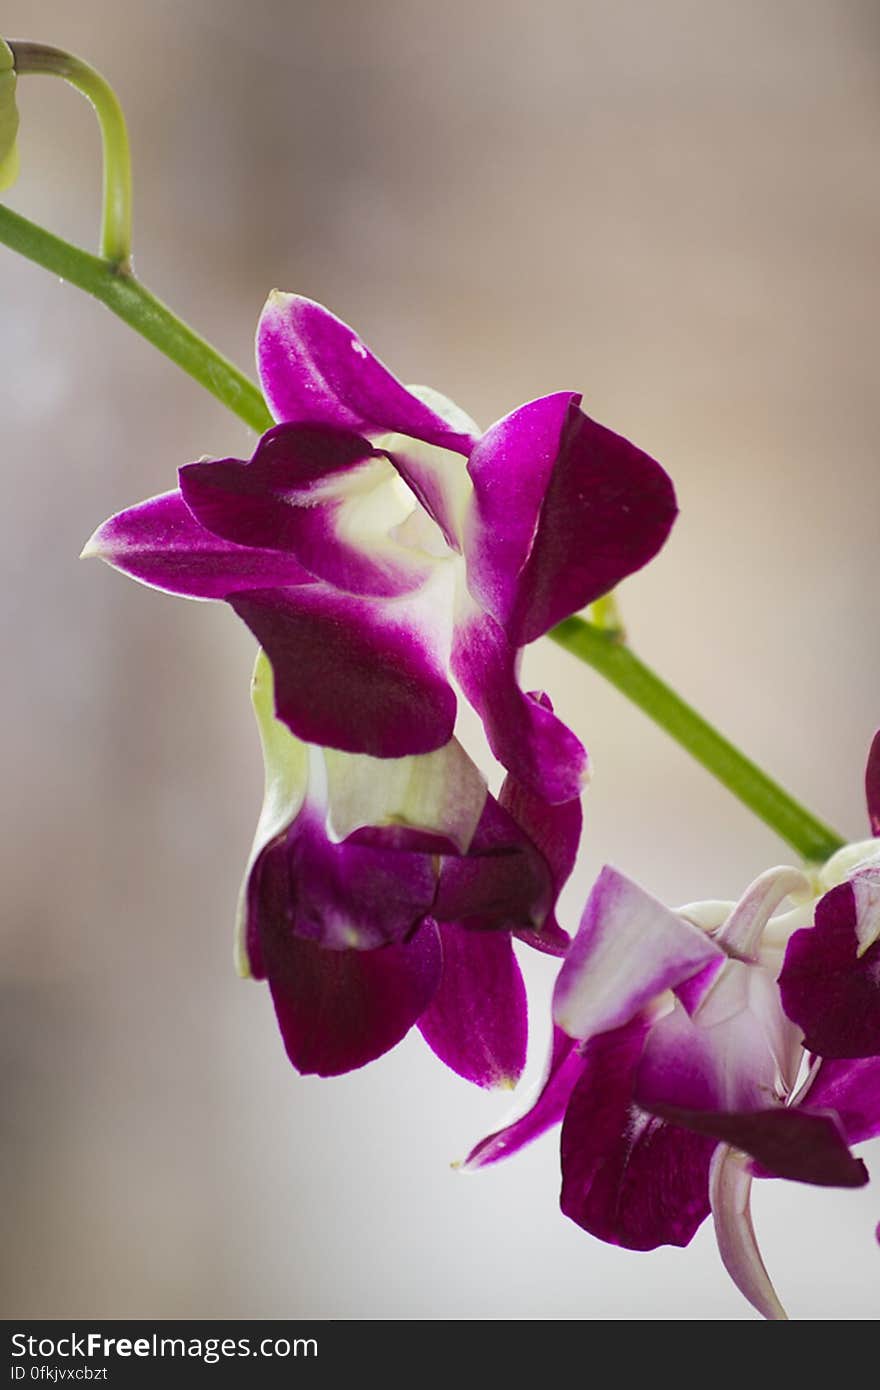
(733, 769)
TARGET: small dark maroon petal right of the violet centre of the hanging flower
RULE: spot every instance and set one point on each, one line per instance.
(503, 882)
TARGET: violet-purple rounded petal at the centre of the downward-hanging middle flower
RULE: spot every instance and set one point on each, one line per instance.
(345, 896)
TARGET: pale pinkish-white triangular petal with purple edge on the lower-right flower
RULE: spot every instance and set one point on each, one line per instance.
(629, 949)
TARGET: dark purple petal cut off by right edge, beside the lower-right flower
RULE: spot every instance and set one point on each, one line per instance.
(828, 988)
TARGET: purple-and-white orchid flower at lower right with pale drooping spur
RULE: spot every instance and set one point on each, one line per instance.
(679, 1077)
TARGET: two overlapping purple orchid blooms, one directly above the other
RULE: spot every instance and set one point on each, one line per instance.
(380, 547)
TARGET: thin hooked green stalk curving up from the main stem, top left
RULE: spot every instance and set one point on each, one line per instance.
(117, 205)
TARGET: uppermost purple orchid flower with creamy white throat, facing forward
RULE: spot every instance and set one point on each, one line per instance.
(379, 546)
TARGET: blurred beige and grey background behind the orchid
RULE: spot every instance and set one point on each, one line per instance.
(672, 206)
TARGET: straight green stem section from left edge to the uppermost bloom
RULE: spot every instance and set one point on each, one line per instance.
(147, 315)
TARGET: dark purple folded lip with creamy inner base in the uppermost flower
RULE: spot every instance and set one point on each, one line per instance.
(297, 494)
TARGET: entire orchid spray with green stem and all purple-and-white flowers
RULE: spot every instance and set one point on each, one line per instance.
(390, 558)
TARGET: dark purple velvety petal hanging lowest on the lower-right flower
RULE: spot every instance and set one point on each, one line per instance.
(628, 1177)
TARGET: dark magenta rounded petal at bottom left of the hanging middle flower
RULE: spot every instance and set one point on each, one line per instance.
(340, 1010)
